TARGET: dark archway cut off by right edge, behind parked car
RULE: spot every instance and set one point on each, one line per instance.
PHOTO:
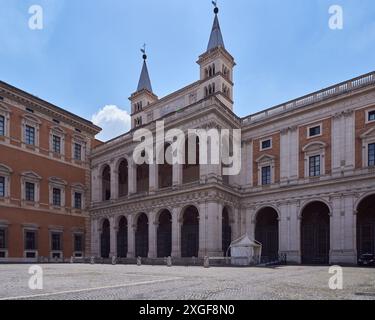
(366, 226)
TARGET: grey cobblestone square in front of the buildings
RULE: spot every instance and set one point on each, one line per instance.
(92, 282)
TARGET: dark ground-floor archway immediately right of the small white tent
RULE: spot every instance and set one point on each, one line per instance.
(267, 233)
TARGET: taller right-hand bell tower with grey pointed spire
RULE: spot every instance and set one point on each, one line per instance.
(216, 66)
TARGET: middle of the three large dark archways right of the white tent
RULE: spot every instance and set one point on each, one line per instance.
(315, 233)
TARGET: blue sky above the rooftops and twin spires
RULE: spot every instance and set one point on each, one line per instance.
(87, 58)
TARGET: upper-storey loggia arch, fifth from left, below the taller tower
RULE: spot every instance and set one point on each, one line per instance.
(191, 169)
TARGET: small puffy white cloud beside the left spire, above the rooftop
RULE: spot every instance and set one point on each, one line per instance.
(113, 120)
